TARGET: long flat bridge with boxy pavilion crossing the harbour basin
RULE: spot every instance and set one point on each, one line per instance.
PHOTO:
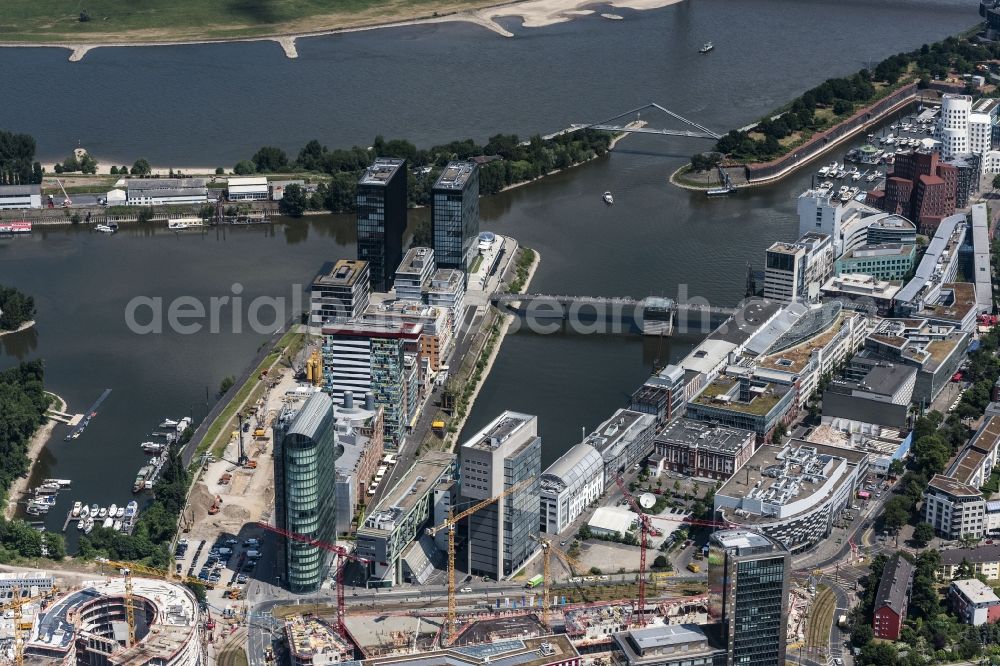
(613, 314)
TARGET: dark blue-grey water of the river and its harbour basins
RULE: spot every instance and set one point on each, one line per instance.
(216, 104)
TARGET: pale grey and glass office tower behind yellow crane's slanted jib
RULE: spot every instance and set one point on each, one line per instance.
(502, 536)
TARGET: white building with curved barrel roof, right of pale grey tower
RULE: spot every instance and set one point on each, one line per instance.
(569, 484)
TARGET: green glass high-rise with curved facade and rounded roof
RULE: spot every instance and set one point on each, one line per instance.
(305, 454)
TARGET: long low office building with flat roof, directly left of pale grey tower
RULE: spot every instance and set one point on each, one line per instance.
(401, 517)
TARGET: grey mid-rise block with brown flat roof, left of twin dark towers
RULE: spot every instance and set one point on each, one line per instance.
(340, 291)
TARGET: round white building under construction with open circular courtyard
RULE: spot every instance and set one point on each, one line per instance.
(87, 626)
